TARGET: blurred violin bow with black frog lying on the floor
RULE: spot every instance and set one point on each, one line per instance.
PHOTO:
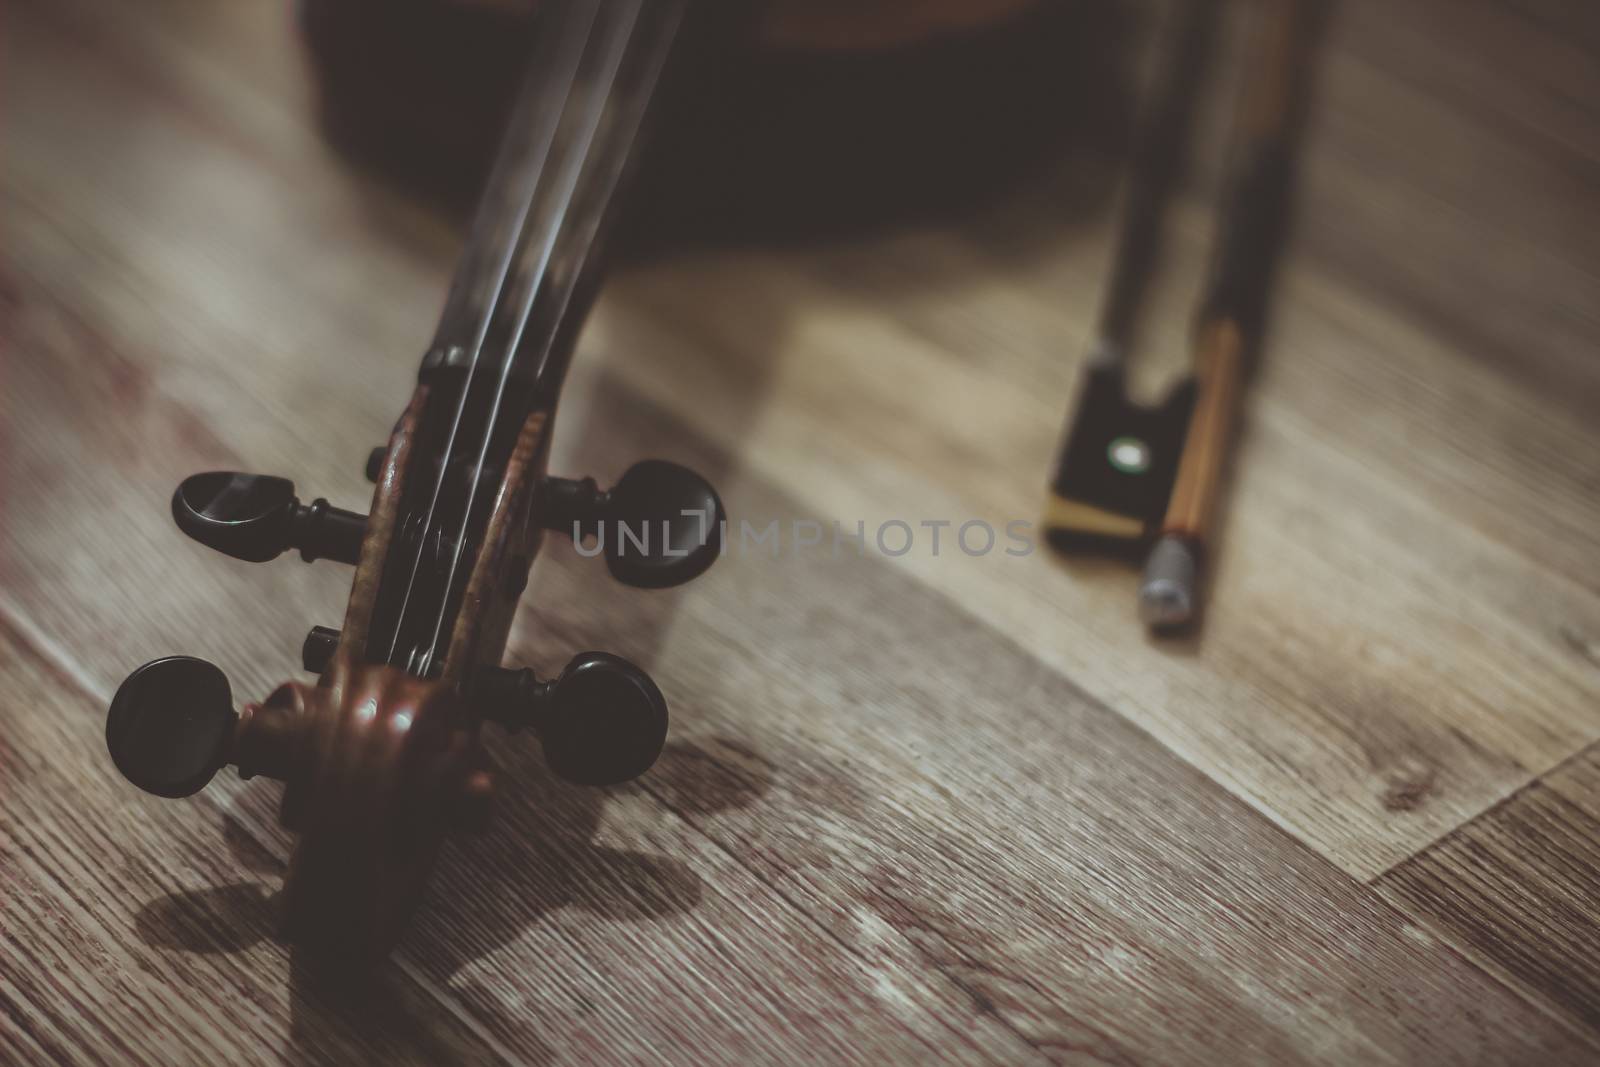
(1129, 474)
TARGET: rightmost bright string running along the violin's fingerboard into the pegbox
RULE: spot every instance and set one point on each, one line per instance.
(570, 183)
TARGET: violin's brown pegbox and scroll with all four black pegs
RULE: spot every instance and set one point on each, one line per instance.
(380, 762)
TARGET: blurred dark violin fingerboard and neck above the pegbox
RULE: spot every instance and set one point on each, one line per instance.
(534, 255)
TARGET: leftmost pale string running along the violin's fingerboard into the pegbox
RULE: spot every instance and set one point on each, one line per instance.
(572, 57)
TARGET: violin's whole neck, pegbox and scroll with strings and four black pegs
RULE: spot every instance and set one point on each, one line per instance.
(383, 756)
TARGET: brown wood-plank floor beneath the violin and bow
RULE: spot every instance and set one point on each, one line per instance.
(934, 809)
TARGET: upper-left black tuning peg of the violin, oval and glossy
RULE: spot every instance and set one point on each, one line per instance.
(257, 518)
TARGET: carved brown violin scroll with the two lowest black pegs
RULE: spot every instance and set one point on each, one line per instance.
(380, 767)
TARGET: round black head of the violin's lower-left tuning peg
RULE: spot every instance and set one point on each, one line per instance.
(170, 725)
